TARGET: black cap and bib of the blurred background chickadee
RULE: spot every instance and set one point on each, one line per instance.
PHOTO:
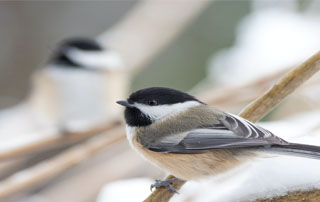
(60, 58)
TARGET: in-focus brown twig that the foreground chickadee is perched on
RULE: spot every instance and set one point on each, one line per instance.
(259, 108)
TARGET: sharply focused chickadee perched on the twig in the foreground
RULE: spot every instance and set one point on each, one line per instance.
(192, 140)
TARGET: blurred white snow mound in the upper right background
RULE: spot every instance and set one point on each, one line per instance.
(267, 40)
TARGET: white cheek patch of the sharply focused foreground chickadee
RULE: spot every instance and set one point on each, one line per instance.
(164, 111)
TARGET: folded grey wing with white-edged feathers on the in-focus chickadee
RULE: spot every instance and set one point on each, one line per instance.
(232, 132)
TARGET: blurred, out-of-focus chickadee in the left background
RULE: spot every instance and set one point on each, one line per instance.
(79, 71)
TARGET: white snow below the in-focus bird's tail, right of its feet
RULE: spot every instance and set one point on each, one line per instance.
(263, 178)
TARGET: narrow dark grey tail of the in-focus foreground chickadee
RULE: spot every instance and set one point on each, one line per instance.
(294, 149)
